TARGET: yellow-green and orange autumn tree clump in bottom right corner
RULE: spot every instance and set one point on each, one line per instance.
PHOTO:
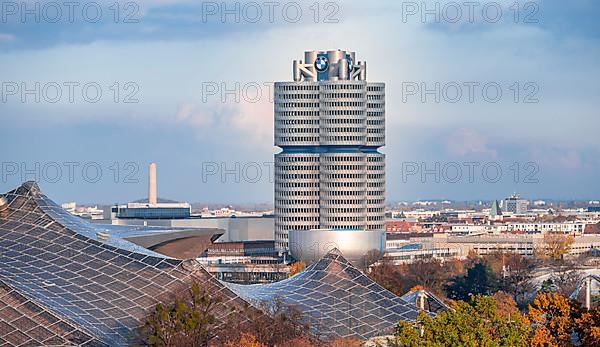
(551, 321)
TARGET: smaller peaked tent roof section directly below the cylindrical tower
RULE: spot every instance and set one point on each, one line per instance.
(336, 298)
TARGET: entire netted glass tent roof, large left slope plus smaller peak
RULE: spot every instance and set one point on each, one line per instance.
(65, 281)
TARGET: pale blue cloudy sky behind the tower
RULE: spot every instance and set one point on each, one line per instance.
(172, 51)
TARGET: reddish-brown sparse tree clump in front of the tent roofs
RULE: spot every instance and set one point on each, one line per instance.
(200, 319)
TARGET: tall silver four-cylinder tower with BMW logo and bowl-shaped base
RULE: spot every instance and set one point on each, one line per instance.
(329, 176)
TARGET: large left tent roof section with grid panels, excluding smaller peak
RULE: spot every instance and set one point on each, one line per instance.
(60, 283)
